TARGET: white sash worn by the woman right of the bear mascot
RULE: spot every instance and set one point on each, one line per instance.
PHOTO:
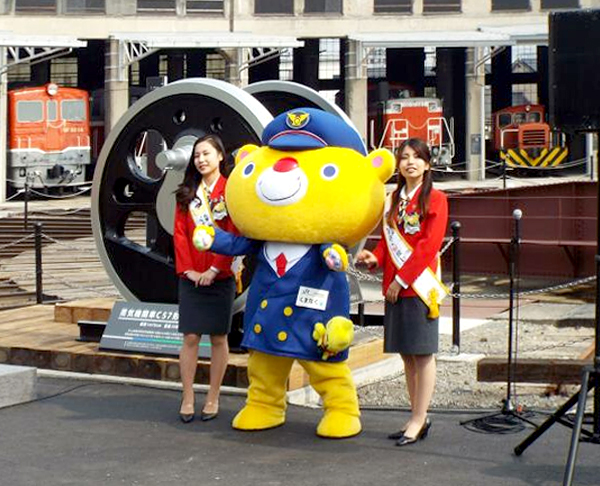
(428, 285)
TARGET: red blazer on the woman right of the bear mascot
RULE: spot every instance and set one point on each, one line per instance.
(425, 244)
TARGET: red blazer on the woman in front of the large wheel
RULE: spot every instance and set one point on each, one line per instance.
(186, 255)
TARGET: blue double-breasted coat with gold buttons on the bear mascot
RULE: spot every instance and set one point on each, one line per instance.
(273, 323)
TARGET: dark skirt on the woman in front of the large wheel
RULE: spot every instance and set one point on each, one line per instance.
(206, 310)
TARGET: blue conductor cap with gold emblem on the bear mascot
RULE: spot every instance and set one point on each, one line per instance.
(311, 128)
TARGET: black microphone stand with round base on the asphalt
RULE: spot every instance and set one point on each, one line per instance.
(507, 420)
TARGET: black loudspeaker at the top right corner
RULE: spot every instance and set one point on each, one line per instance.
(574, 56)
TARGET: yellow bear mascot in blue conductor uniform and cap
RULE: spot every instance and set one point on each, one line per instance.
(309, 192)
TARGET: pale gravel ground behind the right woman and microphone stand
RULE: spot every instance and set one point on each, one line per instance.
(457, 386)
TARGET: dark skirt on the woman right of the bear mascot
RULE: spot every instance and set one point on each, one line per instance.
(408, 330)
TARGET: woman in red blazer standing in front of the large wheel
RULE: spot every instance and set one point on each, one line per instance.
(206, 284)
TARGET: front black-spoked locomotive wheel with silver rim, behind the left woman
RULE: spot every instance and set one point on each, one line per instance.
(142, 162)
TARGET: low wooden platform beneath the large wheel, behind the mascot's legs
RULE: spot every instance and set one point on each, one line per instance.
(45, 336)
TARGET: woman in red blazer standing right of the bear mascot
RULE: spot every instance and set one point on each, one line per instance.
(415, 219)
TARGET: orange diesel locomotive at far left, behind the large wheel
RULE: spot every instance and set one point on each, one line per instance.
(49, 136)
